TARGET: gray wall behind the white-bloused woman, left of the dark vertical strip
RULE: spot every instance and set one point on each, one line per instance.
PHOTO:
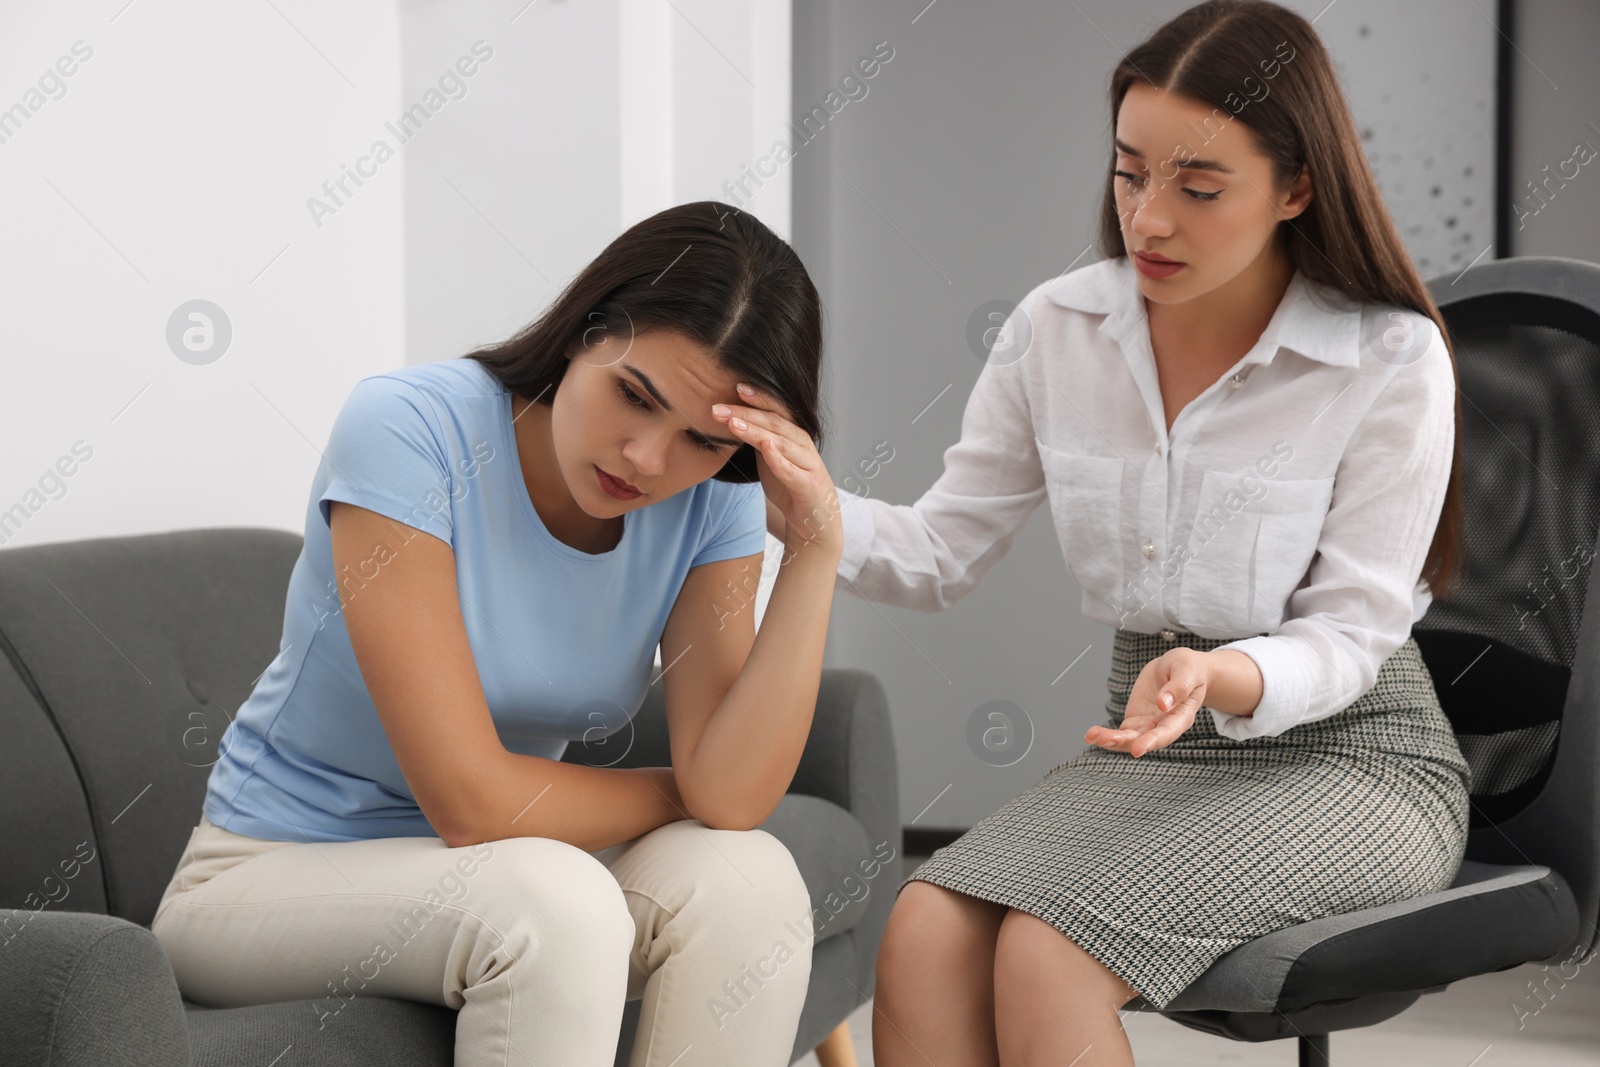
(972, 172)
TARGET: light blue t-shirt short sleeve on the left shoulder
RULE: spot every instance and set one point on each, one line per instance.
(385, 455)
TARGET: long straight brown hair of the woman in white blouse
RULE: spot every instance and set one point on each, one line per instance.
(1214, 54)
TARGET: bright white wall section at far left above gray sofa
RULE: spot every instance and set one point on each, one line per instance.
(174, 166)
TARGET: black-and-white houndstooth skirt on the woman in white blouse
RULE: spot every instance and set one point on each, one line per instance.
(1159, 866)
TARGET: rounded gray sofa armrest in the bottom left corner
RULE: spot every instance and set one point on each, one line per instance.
(84, 989)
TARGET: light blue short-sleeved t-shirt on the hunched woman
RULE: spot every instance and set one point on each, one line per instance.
(564, 641)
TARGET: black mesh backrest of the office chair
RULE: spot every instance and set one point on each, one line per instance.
(1502, 644)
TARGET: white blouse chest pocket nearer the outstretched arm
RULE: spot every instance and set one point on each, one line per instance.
(1086, 503)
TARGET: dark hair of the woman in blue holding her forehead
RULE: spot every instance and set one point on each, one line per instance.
(706, 271)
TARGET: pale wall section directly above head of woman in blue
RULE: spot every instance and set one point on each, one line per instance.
(586, 119)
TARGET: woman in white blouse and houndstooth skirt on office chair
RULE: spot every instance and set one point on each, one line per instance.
(1246, 423)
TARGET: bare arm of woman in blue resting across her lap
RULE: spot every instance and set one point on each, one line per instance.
(412, 645)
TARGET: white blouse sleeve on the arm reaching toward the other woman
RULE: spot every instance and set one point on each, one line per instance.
(930, 554)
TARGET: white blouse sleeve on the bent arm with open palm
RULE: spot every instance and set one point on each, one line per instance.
(1358, 605)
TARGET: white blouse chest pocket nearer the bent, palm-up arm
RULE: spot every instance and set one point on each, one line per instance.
(1247, 556)
